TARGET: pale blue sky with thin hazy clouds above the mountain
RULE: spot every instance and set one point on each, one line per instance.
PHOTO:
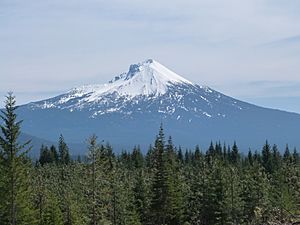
(247, 49)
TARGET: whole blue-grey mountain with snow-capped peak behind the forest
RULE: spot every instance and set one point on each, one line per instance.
(128, 111)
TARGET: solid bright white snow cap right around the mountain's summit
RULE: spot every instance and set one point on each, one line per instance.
(146, 78)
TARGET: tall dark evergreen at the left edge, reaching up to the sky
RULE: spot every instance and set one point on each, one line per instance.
(15, 192)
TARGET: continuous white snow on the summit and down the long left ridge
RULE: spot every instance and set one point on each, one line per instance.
(147, 79)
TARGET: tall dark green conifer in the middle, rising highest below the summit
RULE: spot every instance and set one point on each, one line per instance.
(167, 199)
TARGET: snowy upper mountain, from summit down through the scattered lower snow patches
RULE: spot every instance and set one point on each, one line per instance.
(147, 87)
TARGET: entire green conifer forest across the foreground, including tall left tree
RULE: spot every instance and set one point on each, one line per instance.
(166, 185)
